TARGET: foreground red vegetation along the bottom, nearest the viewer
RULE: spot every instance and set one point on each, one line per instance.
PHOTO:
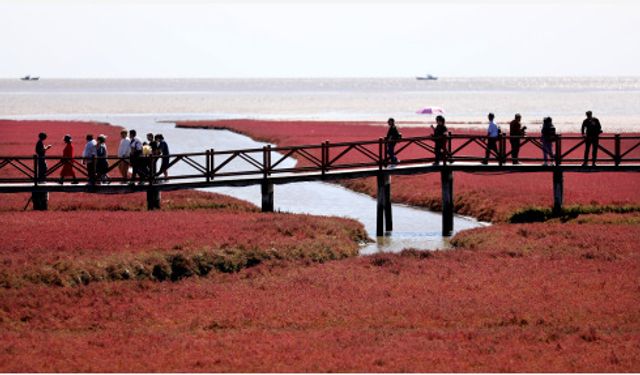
(495, 306)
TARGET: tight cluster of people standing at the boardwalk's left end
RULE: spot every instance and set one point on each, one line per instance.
(140, 157)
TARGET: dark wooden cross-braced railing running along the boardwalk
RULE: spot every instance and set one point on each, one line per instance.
(613, 150)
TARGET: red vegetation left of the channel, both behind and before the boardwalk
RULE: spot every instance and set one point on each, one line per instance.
(90, 237)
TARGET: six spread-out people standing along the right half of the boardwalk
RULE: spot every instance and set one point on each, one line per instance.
(591, 130)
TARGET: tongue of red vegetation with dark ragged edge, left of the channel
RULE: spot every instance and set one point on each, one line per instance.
(83, 246)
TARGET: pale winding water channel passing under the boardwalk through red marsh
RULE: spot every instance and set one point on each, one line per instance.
(413, 227)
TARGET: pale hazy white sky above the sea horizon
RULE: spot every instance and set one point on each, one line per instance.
(317, 39)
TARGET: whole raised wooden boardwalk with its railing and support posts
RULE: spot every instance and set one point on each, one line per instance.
(327, 162)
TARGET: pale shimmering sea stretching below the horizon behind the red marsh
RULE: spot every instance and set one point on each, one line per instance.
(614, 100)
